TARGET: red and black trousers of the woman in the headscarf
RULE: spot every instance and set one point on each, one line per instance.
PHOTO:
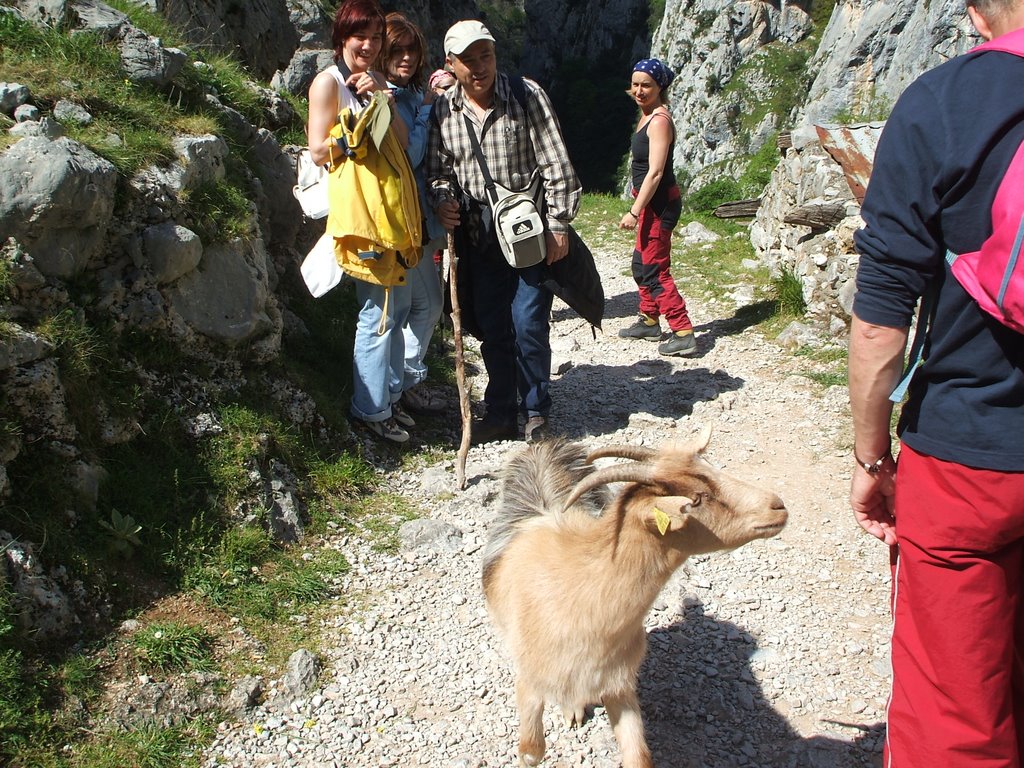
(653, 273)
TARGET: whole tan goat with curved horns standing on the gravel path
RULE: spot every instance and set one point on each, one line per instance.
(571, 573)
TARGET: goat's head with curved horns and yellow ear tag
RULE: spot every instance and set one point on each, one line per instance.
(679, 495)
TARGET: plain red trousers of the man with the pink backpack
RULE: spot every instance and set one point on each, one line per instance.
(958, 697)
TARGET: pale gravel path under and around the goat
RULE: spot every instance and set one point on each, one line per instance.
(773, 656)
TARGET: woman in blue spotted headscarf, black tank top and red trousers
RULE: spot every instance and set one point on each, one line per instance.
(655, 212)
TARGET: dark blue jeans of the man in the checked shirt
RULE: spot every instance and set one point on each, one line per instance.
(514, 312)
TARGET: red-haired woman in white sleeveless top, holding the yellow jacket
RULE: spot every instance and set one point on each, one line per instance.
(379, 353)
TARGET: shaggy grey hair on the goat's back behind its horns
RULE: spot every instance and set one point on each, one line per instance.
(536, 482)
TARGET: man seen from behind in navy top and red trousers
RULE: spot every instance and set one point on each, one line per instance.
(953, 510)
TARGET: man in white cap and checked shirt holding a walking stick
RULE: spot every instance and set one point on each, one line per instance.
(520, 137)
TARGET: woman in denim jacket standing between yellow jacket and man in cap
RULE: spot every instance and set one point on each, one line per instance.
(405, 63)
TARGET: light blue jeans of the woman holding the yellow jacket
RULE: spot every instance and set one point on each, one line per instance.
(379, 354)
